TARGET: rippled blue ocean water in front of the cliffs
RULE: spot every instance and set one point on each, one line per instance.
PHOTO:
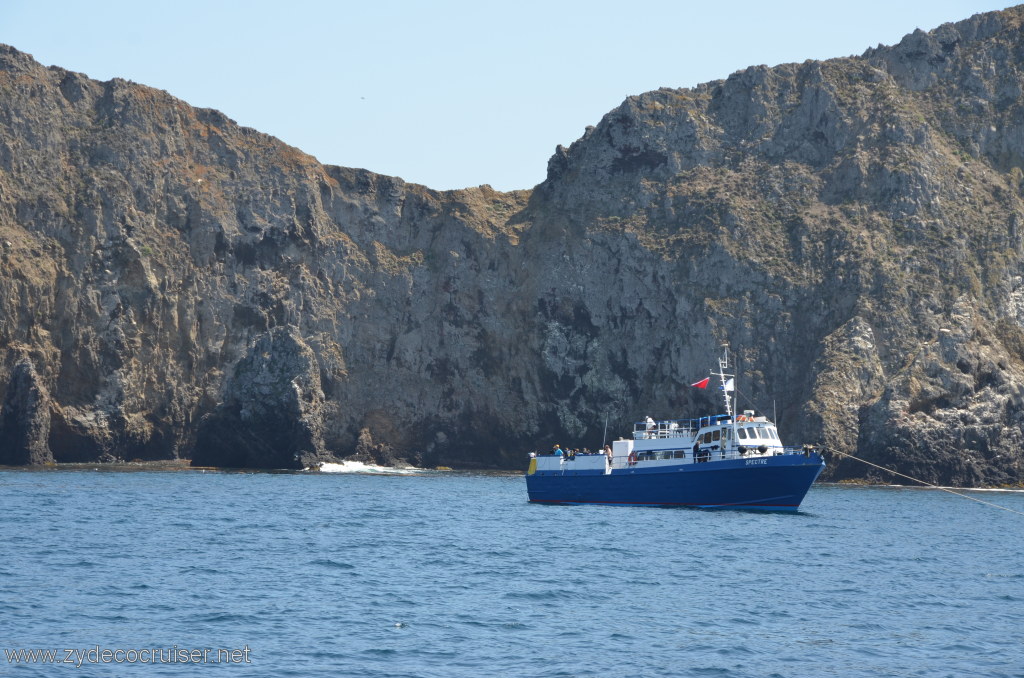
(451, 575)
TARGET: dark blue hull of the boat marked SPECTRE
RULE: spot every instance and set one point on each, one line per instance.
(778, 484)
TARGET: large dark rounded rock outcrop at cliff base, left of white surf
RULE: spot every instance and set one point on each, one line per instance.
(272, 415)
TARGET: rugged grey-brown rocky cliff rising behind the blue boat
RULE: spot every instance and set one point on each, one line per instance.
(174, 285)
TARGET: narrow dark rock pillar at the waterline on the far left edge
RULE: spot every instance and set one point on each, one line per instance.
(25, 419)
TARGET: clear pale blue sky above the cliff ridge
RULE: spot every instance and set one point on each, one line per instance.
(449, 94)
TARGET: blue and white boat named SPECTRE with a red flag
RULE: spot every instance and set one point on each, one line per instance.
(719, 461)
